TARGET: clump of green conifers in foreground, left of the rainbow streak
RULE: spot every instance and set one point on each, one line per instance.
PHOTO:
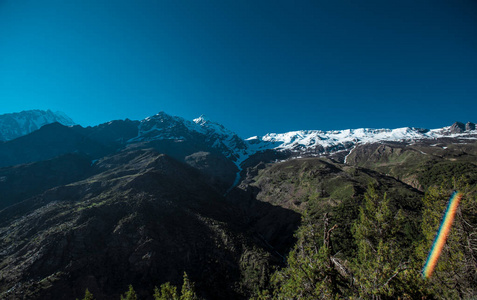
(383, 266)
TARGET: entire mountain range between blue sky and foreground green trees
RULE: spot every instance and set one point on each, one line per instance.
(141, 202)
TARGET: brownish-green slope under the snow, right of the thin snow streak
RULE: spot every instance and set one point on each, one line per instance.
(420, 163)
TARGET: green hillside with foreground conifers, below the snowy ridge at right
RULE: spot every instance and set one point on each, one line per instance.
(372, 243)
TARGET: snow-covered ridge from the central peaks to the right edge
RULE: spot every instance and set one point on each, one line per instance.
(315, 142)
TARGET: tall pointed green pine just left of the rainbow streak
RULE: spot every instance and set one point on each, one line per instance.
(384, 266)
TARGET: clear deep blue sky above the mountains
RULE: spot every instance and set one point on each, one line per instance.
(254, 66)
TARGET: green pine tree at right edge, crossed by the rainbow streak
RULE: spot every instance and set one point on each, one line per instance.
(455, 274)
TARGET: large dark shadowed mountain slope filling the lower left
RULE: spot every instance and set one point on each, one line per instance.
(143, 219)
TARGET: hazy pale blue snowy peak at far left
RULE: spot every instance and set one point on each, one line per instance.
(15, 125)
